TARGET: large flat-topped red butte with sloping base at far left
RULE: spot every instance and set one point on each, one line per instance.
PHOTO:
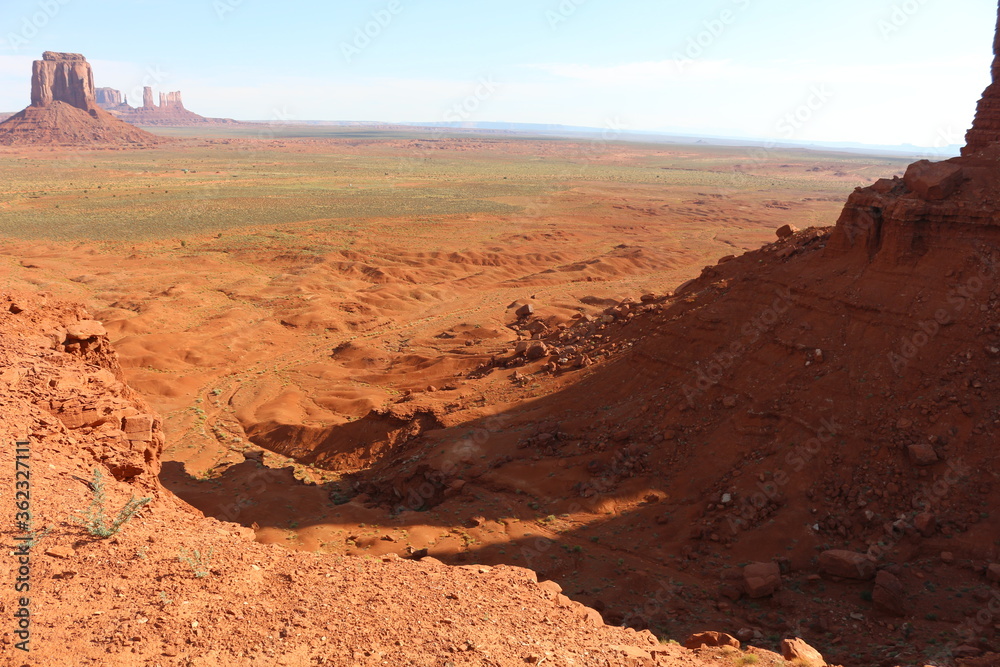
(64, 109)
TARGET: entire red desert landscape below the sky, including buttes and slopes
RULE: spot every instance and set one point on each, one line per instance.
(446, 396)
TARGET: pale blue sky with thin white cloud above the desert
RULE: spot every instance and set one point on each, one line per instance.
(875, 71)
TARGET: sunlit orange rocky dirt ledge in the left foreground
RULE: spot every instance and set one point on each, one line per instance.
(174, 588)
